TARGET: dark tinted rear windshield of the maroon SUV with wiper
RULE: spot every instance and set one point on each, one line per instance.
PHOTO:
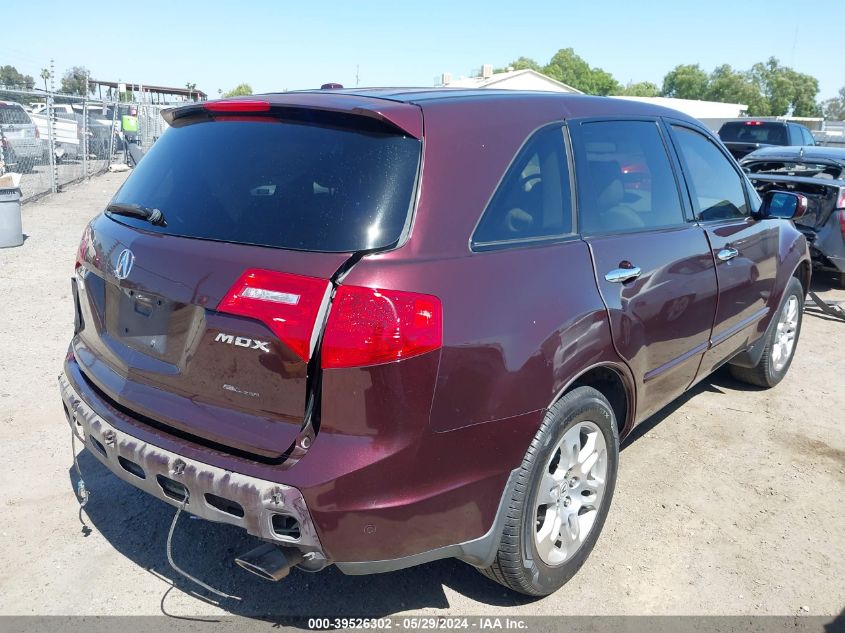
(293, 185)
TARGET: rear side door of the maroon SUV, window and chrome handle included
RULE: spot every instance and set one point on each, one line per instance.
(654, 269)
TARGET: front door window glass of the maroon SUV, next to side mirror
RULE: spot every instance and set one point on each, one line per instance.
(715, 186)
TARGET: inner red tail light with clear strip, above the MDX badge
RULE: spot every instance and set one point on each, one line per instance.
(287, 304)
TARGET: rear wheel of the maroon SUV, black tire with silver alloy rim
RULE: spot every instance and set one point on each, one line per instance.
(520, 564)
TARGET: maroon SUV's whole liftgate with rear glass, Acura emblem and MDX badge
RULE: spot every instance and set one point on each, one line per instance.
(207, 323)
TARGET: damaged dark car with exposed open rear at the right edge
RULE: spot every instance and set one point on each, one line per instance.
(819, 174)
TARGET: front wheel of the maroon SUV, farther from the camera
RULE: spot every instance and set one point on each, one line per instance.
(778, 352)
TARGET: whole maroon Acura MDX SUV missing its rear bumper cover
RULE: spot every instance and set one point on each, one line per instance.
(404, 325)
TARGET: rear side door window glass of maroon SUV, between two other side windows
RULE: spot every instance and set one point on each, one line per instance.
(628, 183)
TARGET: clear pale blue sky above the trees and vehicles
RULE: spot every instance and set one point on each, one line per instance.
(287, 45)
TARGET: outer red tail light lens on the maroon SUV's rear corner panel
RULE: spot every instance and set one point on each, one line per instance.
(368, 326)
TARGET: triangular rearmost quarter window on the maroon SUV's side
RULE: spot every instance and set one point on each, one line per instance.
(533, 200)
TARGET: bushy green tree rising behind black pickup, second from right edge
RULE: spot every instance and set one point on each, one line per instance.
(785, 91)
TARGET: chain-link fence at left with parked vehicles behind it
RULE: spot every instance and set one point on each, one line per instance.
(53, 139)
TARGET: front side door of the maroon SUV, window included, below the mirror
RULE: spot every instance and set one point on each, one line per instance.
(745, 249)
